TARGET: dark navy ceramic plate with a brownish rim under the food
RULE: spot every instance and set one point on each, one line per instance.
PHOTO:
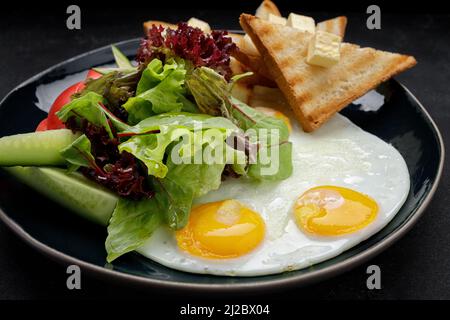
(401, 120)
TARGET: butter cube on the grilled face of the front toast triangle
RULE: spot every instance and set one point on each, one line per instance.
(324, 49)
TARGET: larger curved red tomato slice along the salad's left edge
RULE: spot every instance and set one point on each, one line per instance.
(64, 98)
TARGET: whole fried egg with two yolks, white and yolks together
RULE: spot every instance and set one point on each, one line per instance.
(346, 186)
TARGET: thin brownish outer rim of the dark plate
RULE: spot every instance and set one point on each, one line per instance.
(273, 284)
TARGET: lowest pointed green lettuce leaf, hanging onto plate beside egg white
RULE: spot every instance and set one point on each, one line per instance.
(131, 224)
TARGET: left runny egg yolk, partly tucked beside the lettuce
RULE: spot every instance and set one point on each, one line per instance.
(220, 230)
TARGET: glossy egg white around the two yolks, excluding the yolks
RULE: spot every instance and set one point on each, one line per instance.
(339, 154)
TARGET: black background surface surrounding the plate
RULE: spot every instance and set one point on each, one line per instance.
(416, 267)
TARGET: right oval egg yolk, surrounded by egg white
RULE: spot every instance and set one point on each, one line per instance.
(333, 211)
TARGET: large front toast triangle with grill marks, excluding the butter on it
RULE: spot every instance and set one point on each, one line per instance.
(316, 93)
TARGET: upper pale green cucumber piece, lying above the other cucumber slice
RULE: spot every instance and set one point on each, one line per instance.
(35, 149)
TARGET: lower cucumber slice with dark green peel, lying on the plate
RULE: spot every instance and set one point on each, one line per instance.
(71, 190)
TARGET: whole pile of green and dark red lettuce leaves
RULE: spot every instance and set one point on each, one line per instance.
(167, 131)
